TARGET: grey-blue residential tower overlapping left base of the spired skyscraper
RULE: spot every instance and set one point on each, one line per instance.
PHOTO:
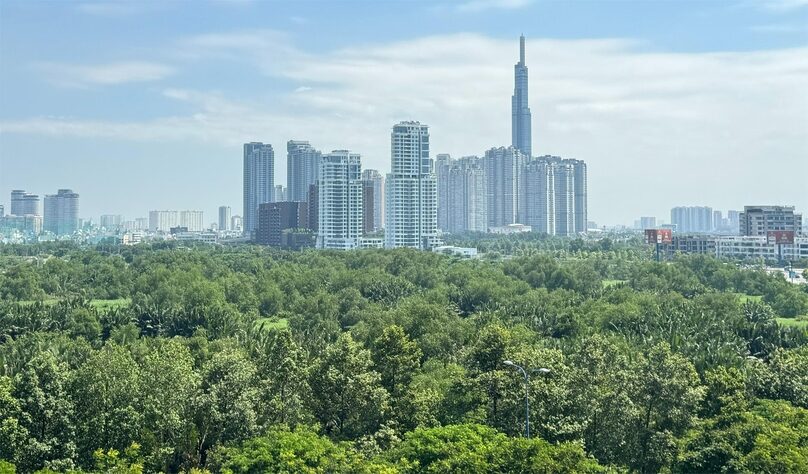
(502, 169)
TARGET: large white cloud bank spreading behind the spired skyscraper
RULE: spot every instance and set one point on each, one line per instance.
(657, 129)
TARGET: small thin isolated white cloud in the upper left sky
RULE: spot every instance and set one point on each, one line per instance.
(74, 75)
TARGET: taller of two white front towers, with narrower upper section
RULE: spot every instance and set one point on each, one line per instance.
(411, 196)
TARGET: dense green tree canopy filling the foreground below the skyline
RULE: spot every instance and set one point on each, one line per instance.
(164, 358)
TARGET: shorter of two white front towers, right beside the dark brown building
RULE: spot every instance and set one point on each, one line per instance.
(340, 201)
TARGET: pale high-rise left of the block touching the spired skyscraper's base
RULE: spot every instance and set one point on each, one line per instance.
(466, 197)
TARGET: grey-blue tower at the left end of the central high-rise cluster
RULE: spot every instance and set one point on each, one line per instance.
(259, 180)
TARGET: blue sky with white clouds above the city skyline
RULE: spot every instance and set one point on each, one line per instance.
(145, 105)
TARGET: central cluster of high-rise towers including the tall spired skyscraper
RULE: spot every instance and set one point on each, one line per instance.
(331, 202)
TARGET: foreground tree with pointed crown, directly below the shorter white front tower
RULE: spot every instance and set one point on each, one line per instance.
(347, 396)
